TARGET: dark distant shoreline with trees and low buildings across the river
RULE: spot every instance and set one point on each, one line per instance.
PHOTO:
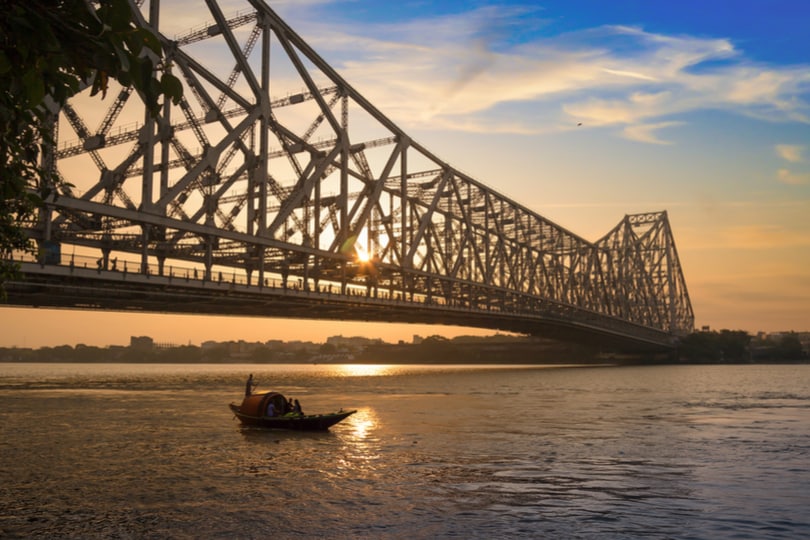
(725, 347)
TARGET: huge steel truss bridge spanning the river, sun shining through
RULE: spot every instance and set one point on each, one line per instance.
(274, 188)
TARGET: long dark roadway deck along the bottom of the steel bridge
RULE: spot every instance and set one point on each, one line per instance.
(60, 286)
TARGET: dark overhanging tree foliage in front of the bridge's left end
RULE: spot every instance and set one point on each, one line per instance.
(49, 51)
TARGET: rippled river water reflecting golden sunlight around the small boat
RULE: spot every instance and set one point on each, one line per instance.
(152, 451)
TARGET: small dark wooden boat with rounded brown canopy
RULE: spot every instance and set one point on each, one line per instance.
(253, 412)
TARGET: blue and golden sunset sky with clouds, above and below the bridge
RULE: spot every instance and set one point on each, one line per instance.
(582, 114)
